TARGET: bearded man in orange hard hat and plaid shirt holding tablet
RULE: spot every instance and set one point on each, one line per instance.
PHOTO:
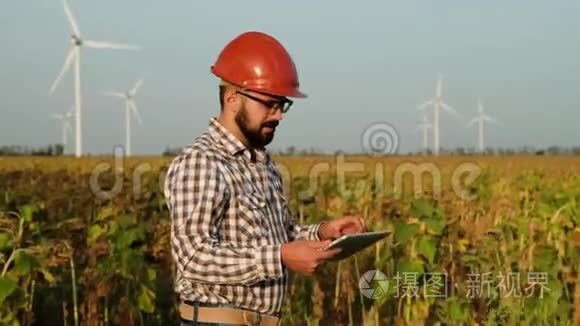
(233, 238)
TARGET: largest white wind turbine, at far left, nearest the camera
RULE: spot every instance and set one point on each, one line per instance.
(74, 54)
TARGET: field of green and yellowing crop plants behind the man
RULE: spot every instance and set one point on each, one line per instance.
(477, 241)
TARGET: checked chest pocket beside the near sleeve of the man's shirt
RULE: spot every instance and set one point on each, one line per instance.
(252, 214)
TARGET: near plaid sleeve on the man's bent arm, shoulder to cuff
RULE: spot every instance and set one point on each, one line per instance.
(195, 191)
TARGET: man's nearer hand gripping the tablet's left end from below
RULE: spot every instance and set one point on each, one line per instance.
(304, 256)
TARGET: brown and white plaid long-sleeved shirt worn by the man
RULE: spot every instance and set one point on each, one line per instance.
(229, 219)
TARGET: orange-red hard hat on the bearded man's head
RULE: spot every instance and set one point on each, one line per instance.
(258, 62)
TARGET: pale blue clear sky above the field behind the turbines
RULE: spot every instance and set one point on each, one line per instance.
(359, 62)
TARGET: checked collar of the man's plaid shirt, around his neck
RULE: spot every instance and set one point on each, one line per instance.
(233, 145)
